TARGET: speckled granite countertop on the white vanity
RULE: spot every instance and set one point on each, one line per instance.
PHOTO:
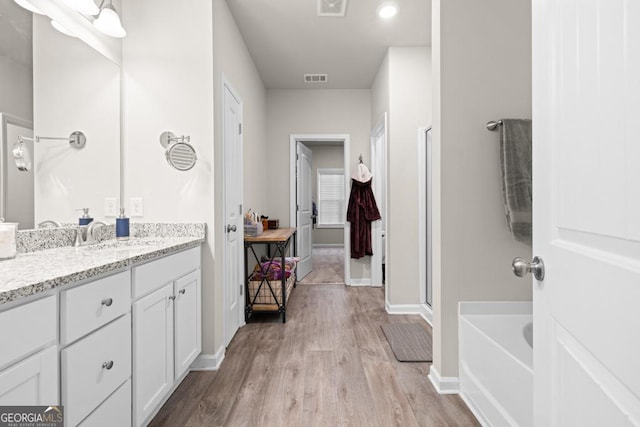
(34, 272)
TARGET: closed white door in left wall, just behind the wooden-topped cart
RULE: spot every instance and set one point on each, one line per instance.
(233, 226)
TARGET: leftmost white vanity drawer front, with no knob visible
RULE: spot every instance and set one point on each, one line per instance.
(27, 328)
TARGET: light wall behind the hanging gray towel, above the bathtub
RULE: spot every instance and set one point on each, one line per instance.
(482, 72)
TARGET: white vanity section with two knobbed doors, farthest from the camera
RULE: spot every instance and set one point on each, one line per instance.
(166, 328)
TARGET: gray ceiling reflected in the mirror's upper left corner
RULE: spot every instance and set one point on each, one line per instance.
(15, 33)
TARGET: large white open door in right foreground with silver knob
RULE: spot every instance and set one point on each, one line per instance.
(586, 81)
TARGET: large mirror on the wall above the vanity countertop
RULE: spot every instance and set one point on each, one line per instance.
(56, 84)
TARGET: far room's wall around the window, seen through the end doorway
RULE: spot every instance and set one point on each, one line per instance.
(326, 156)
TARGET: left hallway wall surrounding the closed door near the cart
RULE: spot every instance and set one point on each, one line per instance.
(232, 59)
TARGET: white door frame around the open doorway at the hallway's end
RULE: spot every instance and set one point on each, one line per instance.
(345, 139)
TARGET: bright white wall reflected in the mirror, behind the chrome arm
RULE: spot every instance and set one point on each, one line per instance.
(75, 88)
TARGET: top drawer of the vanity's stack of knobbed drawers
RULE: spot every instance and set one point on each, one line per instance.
(87, 307)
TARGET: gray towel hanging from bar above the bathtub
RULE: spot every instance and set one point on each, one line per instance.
(515, 162)
